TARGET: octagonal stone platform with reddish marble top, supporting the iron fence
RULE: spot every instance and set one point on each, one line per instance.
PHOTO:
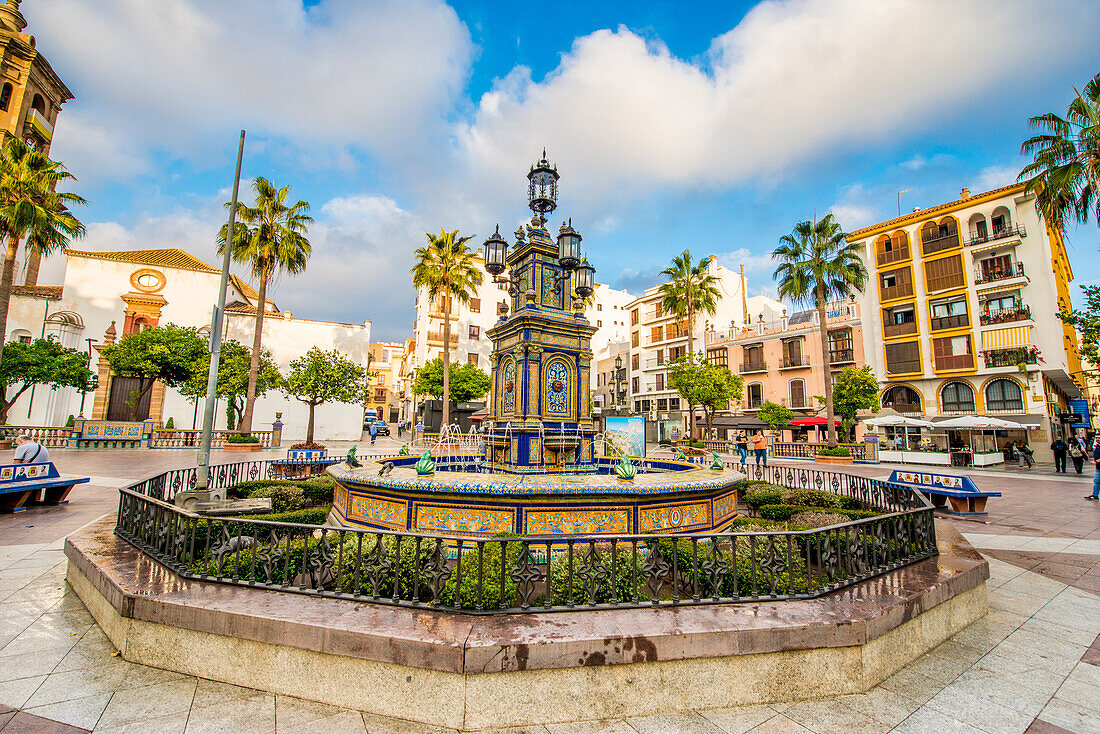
(477, 672)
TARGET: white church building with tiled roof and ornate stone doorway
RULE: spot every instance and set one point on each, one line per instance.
(117, 293)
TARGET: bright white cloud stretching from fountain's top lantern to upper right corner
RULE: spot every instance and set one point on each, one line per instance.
(791, 82)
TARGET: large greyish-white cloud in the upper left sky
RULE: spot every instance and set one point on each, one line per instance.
(378, 74)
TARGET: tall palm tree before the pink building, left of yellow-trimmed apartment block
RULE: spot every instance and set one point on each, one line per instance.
(819, 265)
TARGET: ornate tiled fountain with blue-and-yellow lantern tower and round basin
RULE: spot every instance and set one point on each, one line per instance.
(540, 474)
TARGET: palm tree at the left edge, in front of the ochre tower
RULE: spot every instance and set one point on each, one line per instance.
(32, 212)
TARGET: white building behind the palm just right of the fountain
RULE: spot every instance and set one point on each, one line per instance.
(658, 338)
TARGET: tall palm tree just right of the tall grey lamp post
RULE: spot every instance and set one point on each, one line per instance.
(270, 238)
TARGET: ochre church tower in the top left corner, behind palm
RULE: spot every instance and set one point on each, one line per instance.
(31, 94)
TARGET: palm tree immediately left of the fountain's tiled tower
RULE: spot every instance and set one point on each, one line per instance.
(447, 270)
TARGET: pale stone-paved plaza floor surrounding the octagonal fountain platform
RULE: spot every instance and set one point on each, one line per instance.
(1032, 665)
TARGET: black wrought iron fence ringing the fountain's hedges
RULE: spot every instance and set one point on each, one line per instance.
(532, 574)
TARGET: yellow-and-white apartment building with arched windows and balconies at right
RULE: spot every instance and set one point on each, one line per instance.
(961, 312)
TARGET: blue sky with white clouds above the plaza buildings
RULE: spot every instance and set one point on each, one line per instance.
(713, 127)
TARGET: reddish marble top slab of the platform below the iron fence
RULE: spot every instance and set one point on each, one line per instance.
(142, 589)
